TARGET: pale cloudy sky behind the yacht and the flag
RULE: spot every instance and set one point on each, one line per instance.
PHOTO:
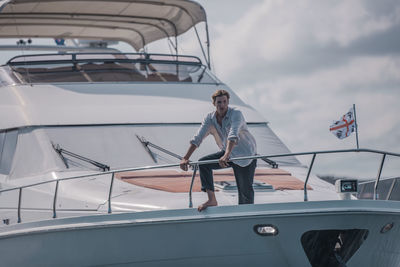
(302, 64)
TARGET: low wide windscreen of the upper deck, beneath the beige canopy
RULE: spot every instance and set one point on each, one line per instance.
(109, 67)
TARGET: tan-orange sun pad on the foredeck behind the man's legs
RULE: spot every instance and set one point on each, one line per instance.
(179, 182)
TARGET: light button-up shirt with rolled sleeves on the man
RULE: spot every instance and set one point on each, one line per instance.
(233, 128)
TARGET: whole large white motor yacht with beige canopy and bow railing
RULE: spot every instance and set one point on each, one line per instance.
(90, 144)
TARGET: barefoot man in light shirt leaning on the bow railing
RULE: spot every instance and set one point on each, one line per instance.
(230, 131)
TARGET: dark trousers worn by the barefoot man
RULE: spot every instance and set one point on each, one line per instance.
(244, 177)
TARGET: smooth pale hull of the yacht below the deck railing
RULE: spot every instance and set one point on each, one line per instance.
(221, 236)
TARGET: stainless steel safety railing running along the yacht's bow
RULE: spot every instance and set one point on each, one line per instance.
(195, 165)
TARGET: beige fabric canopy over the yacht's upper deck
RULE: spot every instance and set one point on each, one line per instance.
(137, 22)
